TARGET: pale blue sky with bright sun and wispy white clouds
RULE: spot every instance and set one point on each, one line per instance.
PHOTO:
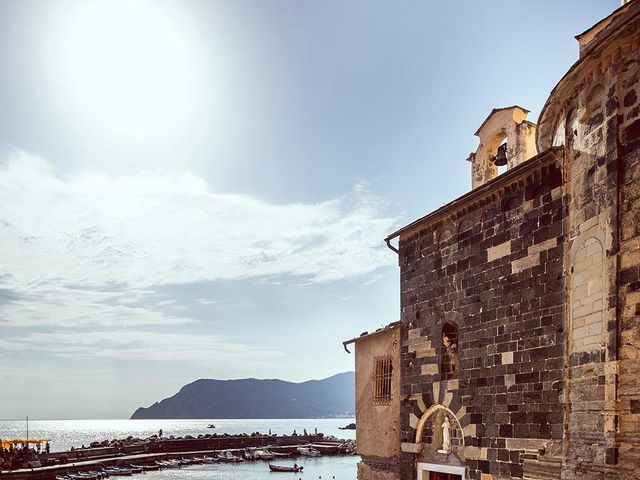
(200, 189)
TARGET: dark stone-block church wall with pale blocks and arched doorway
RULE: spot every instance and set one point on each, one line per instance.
(495, 271)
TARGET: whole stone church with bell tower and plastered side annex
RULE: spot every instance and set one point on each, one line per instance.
(517, 353)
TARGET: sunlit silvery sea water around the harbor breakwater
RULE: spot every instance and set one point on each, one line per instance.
(64, 434)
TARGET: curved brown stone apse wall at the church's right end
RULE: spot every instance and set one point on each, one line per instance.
(599, 129)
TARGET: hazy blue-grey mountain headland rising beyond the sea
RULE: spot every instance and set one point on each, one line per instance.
(253, 398)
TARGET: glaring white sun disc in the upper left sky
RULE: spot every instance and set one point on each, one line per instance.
(127, 68)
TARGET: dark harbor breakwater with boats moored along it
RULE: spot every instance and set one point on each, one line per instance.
(134, 455)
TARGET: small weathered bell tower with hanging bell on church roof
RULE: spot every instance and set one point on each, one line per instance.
(506, 140)
